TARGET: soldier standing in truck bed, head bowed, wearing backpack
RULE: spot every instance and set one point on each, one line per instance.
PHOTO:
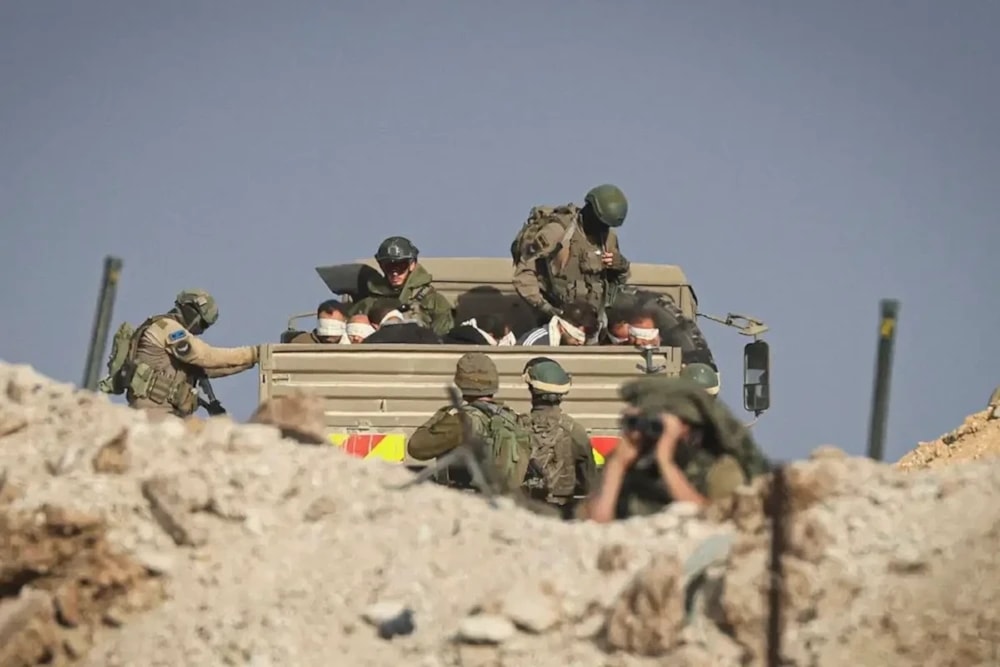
(567, 253)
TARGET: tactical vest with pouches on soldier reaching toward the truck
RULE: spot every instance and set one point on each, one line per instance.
(158, 377)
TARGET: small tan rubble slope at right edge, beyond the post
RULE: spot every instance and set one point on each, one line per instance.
(977, 438)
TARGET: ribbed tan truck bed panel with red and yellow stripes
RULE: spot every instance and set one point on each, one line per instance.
(376, 395)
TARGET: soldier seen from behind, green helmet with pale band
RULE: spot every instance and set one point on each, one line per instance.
(563, 452)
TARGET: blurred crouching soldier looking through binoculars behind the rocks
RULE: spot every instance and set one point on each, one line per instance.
(678, 443)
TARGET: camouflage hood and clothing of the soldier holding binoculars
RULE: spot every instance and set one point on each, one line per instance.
(725, 458)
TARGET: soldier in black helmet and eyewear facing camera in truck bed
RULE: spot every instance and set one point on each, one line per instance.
(403, 278)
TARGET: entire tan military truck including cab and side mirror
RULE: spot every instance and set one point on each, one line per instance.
(375, 396)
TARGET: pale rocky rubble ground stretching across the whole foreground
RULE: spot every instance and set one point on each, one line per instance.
(126, 542)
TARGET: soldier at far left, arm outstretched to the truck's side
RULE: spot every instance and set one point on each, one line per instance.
(166, 358)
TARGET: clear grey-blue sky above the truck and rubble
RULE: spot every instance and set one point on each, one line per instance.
(799, 160)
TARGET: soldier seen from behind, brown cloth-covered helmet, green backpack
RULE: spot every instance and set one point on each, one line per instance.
(509, 439)
